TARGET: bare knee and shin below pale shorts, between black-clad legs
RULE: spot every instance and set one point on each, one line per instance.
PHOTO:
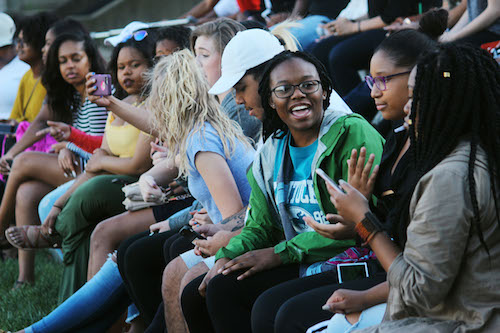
(172, 277)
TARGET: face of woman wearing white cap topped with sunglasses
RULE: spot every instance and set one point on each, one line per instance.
(131, 66)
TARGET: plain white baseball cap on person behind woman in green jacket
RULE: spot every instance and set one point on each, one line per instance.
(244, 51)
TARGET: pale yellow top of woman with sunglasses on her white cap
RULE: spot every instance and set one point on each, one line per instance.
(121, 139)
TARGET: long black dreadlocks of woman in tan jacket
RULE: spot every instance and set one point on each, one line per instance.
(456, 96)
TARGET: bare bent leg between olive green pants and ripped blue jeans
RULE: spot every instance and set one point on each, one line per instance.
(108, 235)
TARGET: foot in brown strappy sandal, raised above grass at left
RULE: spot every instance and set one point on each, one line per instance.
(30, 237)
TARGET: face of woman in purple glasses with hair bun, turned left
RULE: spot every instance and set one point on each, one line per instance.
(391, 101)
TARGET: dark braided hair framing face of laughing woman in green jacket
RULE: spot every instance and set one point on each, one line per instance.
(273, 125)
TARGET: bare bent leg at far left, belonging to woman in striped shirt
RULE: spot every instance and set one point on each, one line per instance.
(28, 166)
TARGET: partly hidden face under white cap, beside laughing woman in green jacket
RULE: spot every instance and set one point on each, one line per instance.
(247, 93)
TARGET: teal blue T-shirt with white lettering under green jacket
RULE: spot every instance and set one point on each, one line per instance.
(300, 198)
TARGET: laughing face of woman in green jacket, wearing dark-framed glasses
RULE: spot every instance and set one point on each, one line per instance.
(302, 113)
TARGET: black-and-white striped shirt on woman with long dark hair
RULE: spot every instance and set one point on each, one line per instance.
(90, 118)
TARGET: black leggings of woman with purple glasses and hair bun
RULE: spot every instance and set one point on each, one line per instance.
(295, 305)
